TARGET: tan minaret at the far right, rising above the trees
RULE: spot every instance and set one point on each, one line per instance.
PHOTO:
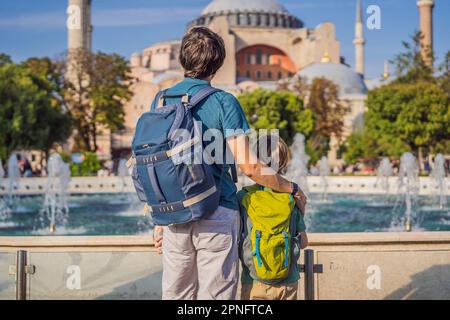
(426, 28)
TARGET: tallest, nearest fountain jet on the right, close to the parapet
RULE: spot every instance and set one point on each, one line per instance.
(408, 180)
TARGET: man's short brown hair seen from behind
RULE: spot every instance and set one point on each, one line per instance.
(202, 53)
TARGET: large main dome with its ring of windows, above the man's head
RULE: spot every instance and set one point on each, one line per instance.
(249, 13)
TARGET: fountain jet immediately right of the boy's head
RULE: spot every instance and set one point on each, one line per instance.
(298, 168)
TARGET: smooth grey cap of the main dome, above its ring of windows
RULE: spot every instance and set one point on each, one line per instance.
(271, 6)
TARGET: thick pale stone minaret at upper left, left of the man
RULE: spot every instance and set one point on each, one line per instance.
(79, 26)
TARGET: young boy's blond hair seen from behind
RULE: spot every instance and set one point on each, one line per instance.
(278, 155)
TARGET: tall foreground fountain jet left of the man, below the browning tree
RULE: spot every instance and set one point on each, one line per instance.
(55, 208)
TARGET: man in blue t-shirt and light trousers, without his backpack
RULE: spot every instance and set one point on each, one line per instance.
(200, 258)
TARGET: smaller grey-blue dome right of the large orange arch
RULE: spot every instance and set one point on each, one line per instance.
(349, 81)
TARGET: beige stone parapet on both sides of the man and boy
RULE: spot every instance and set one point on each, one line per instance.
(354, 266)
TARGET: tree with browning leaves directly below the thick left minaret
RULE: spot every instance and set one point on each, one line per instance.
(95, 90)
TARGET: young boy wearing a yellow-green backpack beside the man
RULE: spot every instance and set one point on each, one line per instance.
(286, 289)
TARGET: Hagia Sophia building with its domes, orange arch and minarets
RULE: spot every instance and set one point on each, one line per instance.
(265, 43)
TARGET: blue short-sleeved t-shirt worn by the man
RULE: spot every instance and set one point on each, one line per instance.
(220, 111)
